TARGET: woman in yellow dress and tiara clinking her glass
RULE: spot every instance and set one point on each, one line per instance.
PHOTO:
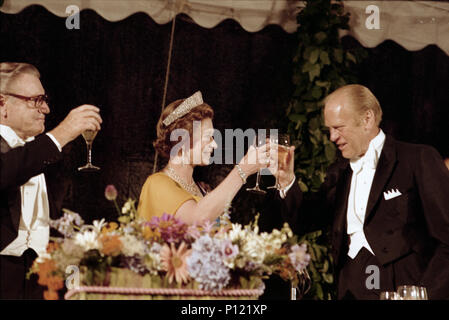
(173, 189)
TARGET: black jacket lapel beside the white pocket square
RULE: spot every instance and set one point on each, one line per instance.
(387, 162)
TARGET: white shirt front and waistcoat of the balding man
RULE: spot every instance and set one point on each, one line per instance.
(363, 169)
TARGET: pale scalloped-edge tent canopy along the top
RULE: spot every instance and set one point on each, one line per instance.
(412, 24)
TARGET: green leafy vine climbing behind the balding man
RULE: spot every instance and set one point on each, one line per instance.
(321, 65)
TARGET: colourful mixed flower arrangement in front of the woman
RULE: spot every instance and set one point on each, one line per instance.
(166, 253)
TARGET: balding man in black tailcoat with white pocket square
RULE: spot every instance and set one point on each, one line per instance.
(387, 201)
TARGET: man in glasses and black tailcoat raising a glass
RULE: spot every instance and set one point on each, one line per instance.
(27, 191)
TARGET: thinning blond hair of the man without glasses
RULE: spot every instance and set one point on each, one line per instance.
(360, 98)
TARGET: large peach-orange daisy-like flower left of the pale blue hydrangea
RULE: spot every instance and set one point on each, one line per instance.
(174, 262)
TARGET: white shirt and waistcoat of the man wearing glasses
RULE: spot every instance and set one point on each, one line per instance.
(34, 229)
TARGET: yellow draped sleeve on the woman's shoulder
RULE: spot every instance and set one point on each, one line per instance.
(161, 194)
